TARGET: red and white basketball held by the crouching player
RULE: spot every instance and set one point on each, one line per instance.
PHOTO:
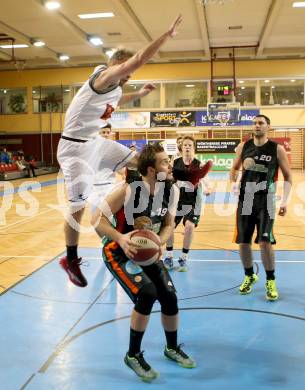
(148, 247)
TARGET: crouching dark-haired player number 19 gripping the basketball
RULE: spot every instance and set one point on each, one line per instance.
(157, 199)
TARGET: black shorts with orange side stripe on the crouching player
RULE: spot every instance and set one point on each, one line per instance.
(133, 277)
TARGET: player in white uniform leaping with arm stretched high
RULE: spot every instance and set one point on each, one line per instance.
(80, 154)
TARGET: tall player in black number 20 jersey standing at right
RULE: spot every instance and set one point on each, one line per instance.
(259, 158)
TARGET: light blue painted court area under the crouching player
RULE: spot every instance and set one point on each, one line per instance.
(58, 336)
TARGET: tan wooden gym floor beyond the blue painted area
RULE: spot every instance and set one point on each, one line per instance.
(31, 223)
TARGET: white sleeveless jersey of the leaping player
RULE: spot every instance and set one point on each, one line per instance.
(88, 108)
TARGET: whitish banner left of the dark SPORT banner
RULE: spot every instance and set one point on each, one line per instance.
(130, 120)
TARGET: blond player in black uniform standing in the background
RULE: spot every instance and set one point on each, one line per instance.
(190, 201)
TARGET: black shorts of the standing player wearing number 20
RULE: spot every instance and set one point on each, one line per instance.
(260, 218)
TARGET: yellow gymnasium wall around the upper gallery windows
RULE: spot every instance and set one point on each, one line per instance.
(50, 125)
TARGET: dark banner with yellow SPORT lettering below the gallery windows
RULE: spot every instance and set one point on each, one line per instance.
(172, 119)
